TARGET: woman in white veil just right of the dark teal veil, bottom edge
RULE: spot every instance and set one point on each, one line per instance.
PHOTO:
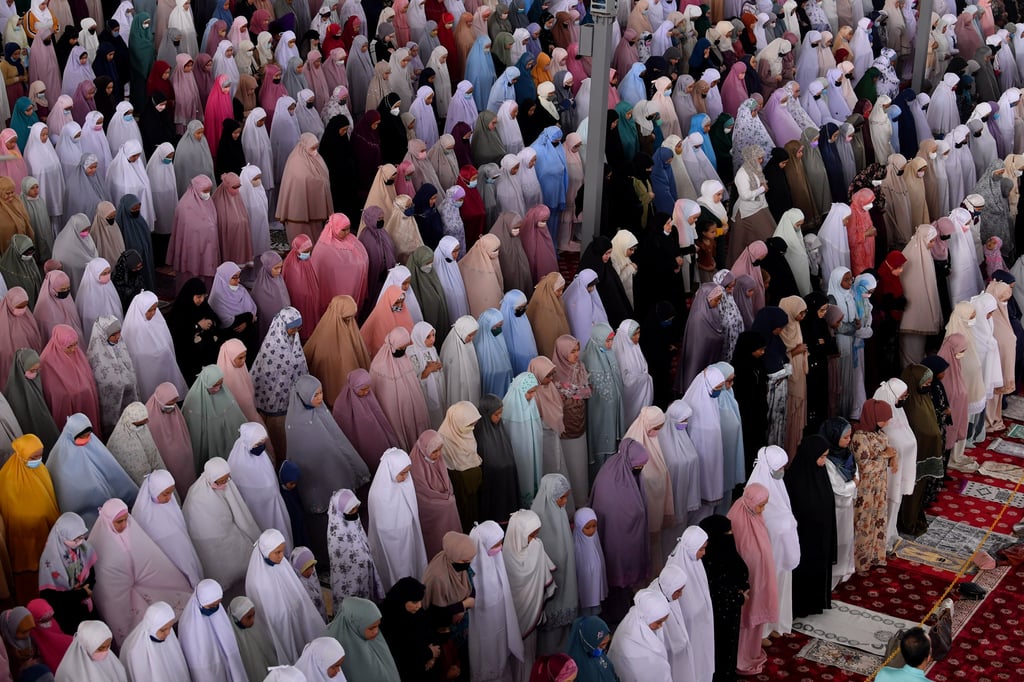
(637, 652)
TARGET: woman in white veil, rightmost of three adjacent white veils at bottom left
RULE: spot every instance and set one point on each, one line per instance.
(208, 642)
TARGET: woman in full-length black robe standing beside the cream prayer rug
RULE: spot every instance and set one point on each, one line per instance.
(815, 508)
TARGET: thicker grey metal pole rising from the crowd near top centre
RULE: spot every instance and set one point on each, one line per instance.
(594, 170)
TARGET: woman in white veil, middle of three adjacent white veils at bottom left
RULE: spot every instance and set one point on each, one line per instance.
(157, 662)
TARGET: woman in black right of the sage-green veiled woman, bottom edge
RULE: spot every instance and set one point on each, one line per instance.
(408, 634)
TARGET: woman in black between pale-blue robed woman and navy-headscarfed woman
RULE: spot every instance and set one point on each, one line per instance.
(751, 391)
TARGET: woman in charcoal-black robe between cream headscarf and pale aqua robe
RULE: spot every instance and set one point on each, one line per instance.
(500, 488)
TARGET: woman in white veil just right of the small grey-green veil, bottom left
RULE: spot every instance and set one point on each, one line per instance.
(280, 598)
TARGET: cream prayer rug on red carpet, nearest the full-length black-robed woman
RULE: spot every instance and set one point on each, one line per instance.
(855, 627)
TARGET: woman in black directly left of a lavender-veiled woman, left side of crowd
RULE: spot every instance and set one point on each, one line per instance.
(195, 330)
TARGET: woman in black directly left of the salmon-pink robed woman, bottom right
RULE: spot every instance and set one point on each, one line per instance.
(729, 583)
